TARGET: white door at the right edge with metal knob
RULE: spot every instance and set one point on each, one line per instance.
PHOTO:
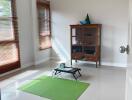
(129, 69)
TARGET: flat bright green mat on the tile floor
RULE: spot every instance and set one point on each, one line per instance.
(55, 88)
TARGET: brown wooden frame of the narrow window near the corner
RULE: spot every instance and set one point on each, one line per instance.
(42, 3)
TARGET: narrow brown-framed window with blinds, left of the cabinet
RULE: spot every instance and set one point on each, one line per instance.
(44, 24)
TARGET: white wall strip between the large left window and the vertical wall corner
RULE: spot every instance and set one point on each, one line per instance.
(25, 33)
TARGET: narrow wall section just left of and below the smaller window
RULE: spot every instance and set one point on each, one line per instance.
(40, 56)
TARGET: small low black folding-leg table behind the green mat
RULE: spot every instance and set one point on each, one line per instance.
(70, 70)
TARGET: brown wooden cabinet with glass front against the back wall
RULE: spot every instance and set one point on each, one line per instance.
(86, 42)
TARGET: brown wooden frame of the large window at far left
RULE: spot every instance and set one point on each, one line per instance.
(14, 65)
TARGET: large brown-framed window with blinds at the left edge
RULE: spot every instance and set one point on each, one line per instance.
(9, 47)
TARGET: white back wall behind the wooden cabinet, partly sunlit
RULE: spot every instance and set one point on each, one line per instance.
(112, 14)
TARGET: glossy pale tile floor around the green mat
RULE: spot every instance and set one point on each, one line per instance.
(107, 83)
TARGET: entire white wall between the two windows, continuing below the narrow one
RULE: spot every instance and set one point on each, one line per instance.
(28, 34)
